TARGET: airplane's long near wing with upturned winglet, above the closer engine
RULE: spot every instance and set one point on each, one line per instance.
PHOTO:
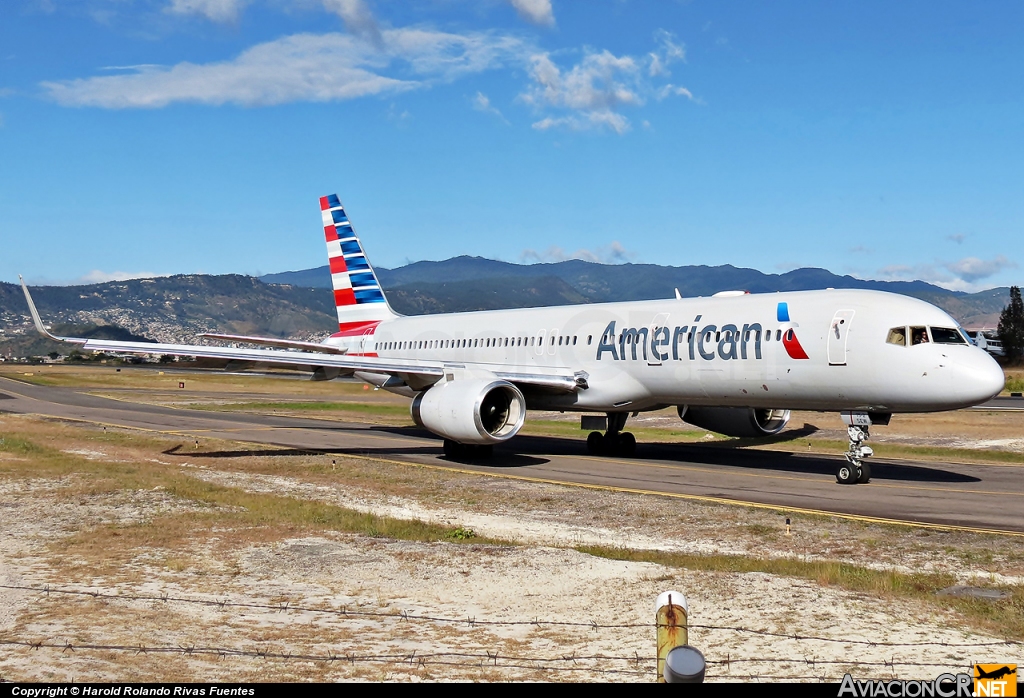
(417, 373)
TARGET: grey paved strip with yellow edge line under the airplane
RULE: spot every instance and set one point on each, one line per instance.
(988, 498)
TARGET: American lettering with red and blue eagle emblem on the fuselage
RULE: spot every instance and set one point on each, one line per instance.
(730, 342)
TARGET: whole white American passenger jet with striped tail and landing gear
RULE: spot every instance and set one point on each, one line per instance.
(735, 363)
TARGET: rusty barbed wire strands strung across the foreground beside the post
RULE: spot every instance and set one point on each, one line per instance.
(636, 666)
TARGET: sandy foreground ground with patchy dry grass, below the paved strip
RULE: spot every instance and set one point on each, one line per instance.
(242, 582)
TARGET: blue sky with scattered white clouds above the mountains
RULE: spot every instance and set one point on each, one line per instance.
(881, 140)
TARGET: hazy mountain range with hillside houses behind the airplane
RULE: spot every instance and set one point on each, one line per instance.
(298, 304)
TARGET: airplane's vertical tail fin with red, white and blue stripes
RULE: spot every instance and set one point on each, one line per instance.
(358, 294)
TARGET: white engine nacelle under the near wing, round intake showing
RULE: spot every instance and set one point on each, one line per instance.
(472, 411)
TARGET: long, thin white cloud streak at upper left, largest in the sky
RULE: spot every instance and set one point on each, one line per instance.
(298, 68)
